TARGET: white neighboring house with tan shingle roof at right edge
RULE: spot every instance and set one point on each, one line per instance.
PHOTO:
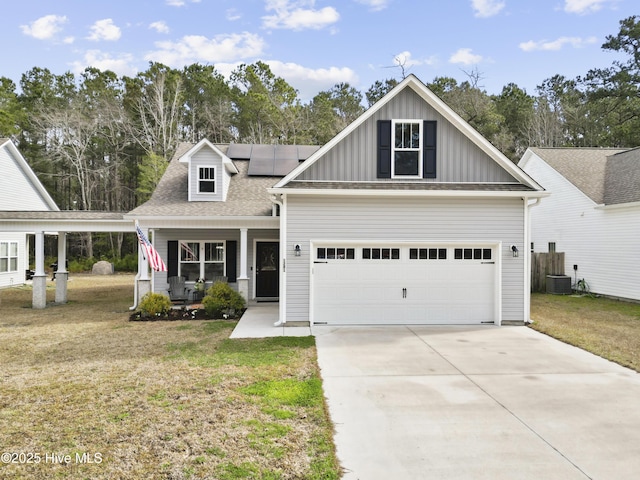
(592, 215)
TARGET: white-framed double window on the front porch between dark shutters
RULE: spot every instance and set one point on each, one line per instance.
(200, 259)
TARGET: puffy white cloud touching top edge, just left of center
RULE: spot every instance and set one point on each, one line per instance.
(292, 15)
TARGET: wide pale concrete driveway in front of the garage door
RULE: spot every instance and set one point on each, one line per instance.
(476, 403)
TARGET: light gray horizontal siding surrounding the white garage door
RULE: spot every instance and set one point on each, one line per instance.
(398, 220)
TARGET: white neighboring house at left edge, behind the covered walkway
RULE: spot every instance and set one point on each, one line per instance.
(20, 190)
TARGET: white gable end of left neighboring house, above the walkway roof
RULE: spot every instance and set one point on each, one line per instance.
(44, 202)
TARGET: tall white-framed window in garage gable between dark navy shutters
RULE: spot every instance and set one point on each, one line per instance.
(406, 158)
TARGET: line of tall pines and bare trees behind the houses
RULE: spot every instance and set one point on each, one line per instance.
(99, 141)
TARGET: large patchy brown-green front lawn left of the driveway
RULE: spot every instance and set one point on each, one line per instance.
(85, 393)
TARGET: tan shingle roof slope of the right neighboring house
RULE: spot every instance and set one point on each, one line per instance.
(586, 168)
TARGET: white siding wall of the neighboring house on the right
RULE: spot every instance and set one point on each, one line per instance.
(602, 242)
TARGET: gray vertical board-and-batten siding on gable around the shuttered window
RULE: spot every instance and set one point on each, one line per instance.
(458, 158)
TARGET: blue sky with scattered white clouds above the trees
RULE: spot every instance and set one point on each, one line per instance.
(314, 44)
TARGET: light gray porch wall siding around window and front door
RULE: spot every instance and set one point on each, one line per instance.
(211, 235)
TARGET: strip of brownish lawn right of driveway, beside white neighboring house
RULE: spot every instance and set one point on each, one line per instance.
(608, 328)
